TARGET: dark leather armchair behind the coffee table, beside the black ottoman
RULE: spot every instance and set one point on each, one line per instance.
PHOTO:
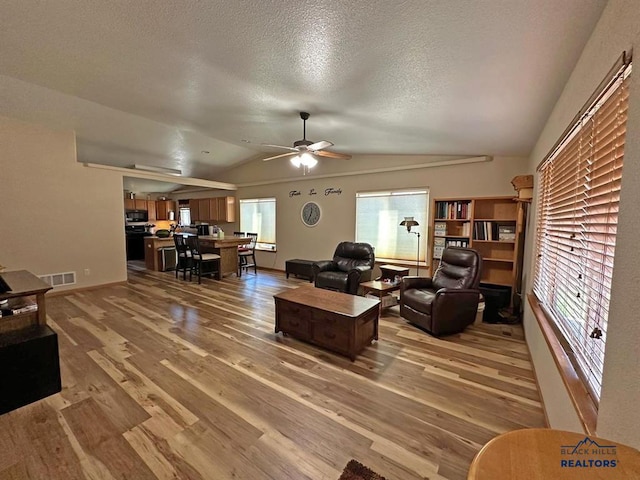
(352, 264)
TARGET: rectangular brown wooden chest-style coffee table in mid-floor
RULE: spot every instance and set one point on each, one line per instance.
(339, 322)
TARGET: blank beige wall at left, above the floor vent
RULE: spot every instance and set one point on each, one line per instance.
(57, 215)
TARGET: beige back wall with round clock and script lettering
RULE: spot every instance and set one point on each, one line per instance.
(338, 210)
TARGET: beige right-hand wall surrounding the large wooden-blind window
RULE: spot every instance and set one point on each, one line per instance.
(618, 418)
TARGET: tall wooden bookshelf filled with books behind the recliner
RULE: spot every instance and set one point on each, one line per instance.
(490, 225)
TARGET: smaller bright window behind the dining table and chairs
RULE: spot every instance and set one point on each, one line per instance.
(258, 215)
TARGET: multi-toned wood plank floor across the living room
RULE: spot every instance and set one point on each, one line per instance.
(169, 379)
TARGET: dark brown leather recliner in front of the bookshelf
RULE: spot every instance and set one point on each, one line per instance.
(447, 302)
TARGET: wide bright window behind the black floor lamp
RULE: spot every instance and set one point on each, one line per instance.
(378, 217)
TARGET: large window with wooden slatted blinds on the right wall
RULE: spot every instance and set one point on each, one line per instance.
(578, 197)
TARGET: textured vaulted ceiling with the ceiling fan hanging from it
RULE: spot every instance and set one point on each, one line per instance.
(158, 83)
